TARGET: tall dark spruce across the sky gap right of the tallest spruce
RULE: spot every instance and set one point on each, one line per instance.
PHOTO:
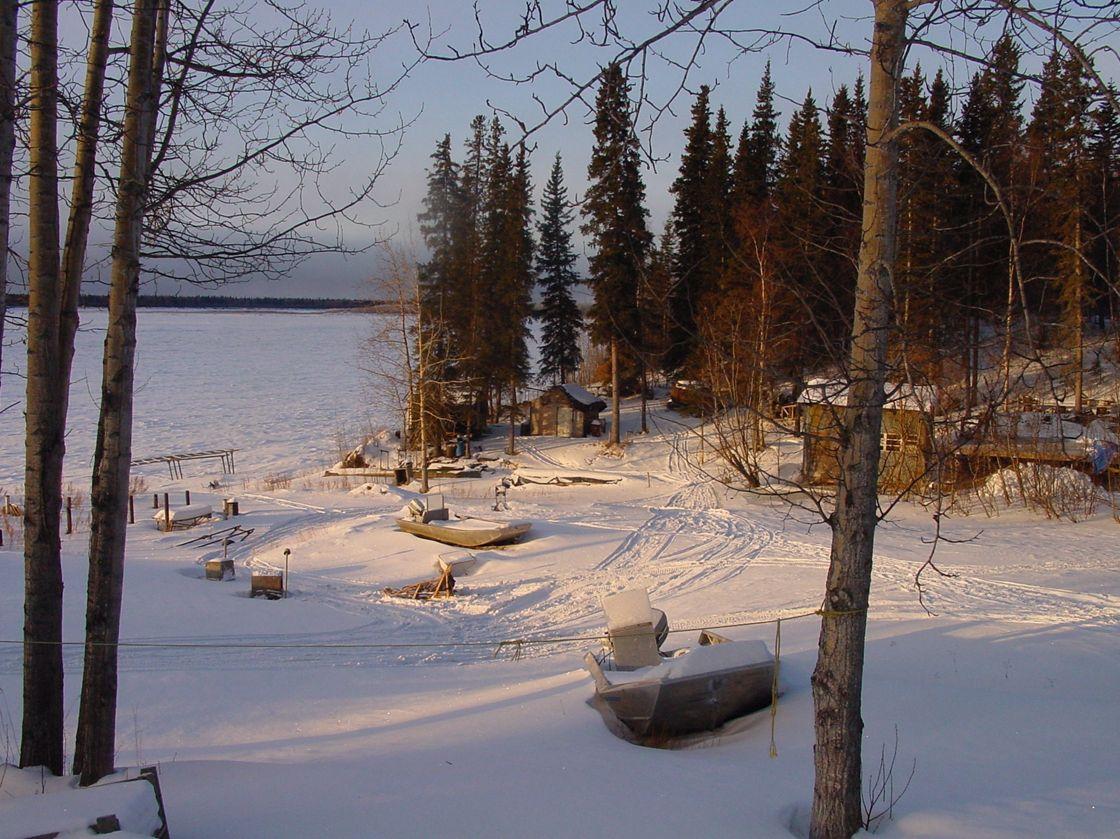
(692, 227)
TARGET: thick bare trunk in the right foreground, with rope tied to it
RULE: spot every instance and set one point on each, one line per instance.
(838, 677)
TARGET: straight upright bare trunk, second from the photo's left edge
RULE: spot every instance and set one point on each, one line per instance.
(42, 735)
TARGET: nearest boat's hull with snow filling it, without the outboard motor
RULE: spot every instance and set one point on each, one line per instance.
(696, 691)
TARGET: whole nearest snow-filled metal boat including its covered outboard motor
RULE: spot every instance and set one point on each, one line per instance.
(671, 694)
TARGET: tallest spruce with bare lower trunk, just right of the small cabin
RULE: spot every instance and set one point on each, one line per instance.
(614, 212)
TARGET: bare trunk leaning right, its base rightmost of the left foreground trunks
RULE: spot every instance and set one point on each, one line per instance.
(96, 747)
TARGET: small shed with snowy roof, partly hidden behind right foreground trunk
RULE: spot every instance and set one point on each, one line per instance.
(907, 444)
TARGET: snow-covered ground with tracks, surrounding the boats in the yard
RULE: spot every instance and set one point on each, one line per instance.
(341, 712)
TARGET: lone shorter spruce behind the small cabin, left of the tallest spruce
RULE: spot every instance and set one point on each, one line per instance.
(562, 322)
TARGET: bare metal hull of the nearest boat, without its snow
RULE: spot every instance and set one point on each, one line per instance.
(652, 705)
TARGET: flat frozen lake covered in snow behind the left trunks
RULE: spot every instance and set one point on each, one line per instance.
(279, 386)
